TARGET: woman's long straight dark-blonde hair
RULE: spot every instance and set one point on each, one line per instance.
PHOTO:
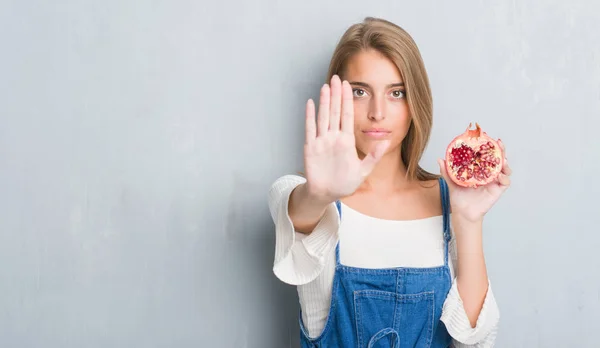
(397, 45)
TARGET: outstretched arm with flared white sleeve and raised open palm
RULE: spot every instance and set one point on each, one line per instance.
(333, 170)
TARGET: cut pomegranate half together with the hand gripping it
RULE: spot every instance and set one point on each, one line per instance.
(477, 173)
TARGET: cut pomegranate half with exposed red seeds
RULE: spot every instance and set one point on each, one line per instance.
(473, 158)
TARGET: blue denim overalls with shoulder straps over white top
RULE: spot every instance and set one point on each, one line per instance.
(391, 307)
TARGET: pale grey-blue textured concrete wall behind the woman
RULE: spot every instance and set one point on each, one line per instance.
(138, 140)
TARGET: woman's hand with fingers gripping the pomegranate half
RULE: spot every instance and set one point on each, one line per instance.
(473, 203)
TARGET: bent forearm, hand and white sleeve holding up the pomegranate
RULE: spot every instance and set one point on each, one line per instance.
(470, 311)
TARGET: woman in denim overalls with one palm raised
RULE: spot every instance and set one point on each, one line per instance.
(366, 234)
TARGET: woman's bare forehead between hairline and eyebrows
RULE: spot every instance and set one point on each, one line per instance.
(373, 68)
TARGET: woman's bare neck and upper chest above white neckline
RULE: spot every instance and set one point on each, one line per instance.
(388, 174)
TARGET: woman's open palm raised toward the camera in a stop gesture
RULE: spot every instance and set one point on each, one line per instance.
(332, 166)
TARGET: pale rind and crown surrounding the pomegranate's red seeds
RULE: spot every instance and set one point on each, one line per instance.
(474, 139)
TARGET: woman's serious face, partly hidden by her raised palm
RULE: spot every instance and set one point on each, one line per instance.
(380, 108)
